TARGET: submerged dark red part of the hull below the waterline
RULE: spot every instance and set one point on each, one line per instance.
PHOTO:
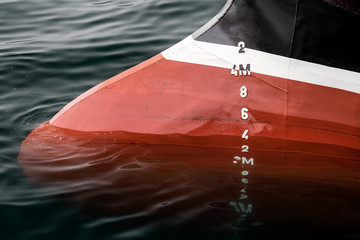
(200, 189)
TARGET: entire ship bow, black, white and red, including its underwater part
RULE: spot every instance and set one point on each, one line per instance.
(266, 90)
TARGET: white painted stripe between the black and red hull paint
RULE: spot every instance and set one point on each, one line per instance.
(223, 56)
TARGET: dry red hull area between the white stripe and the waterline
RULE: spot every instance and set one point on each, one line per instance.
(169, 97)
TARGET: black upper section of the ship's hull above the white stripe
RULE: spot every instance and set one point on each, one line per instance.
(311, 30)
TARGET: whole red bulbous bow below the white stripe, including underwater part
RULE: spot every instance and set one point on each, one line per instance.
(167, 130)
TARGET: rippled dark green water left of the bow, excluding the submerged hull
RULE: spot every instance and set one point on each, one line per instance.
(52, 51)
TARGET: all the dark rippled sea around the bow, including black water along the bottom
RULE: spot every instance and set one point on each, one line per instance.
(51, 52)
